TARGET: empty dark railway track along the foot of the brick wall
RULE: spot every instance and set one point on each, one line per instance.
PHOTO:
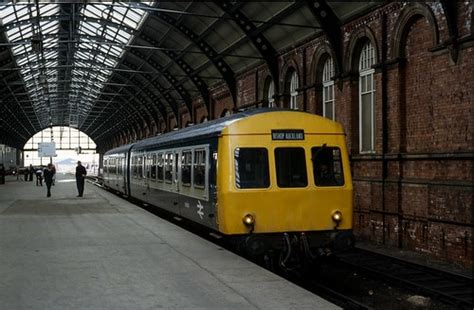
(448, 287)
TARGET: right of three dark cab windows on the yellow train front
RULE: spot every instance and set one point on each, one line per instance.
(327, 166)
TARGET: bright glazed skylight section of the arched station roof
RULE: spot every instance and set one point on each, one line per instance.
(100, 38)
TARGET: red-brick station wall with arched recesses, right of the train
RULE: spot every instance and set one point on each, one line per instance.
(424, 203)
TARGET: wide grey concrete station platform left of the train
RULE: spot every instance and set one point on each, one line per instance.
(102, 252)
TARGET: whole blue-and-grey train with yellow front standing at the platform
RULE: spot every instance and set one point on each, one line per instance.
(266, 179)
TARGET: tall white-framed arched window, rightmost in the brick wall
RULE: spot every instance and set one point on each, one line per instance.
(367, 99)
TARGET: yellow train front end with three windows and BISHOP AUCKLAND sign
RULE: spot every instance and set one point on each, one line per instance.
(284, 183)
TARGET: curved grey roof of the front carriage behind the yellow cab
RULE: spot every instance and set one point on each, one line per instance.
(204, 130)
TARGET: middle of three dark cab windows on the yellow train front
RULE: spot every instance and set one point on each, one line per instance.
(291, 167)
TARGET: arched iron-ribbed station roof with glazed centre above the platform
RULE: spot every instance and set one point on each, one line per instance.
(106, 67)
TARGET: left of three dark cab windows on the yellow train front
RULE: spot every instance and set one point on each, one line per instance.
(251, 168)
